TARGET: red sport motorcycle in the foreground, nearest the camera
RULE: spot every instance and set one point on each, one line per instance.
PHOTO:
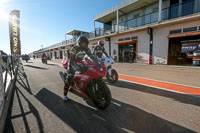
(88, 81)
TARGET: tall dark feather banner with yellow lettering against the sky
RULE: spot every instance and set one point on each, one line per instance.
(14, 28)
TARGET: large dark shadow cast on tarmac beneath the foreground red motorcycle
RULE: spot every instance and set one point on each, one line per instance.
(118, 117)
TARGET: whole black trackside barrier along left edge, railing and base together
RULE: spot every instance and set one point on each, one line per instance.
(8, 72)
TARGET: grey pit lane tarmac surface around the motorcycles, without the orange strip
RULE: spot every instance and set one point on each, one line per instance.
(38, 106)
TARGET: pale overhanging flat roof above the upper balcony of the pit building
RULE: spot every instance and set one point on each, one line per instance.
(124, 8)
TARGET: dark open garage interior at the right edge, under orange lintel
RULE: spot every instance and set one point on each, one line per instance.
(181, 48)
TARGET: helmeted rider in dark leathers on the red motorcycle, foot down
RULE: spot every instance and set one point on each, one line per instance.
(77, 54)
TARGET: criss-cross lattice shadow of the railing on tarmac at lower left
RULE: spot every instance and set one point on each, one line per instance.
(23, 82)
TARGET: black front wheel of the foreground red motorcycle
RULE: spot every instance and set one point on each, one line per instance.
(102, 96)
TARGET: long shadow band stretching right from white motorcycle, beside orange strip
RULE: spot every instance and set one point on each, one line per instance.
(187, 99)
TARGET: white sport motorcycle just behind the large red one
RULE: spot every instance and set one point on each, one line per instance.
(112, 75)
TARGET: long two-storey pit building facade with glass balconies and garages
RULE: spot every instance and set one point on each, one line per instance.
(144, 31)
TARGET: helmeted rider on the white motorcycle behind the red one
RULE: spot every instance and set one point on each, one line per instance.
(99, 49)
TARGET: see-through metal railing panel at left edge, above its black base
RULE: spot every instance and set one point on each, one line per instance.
(8, 66)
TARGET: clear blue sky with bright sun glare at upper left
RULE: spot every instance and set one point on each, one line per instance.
(44, 22)
